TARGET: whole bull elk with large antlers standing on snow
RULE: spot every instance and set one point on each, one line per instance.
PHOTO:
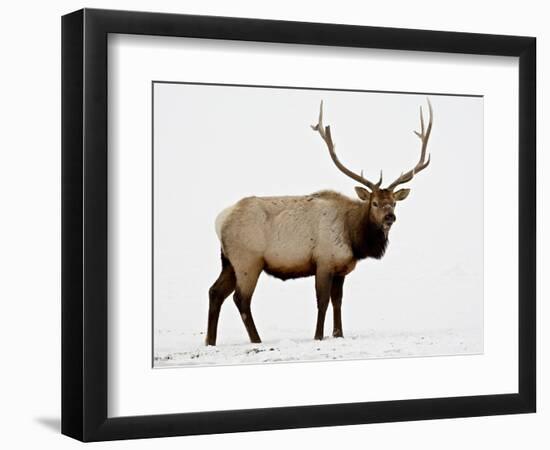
(323, 235)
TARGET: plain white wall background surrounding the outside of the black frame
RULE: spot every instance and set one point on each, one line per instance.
(30, 238)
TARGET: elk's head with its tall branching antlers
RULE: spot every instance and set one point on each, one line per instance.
(379, 201)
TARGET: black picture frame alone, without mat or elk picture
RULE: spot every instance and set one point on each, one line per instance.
(84, 224)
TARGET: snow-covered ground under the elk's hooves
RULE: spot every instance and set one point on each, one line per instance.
(174, 348)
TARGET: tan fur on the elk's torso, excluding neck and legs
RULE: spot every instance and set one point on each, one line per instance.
(289, 234)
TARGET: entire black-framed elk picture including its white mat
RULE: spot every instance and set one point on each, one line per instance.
(273, 224)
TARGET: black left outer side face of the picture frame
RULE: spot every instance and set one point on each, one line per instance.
(72, 323)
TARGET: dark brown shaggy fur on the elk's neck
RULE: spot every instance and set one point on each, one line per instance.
(367, 239)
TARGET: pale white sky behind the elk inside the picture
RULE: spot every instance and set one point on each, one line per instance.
(216, 144)
